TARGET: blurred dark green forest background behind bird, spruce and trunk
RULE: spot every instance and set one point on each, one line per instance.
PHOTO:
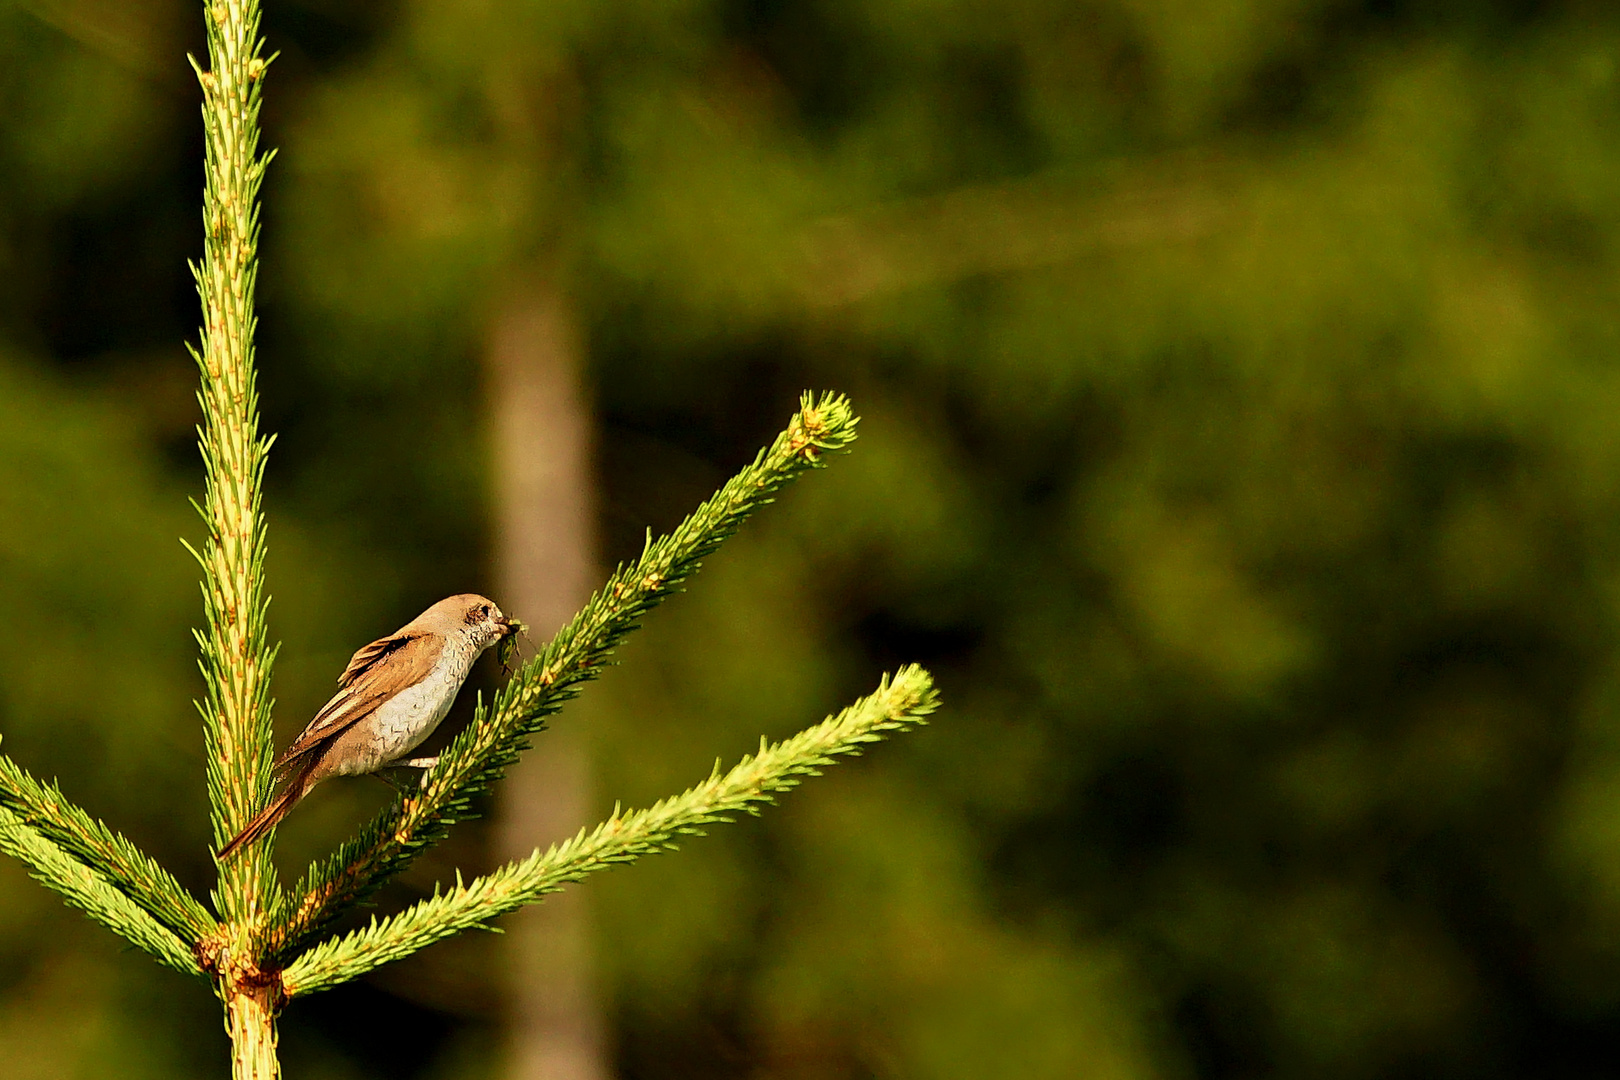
(1240, 385)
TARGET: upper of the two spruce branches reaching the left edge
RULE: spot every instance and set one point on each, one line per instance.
(43, 809)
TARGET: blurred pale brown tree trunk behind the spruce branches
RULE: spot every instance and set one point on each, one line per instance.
(545, 555)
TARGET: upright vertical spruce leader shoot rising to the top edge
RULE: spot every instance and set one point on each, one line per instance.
(236, 652)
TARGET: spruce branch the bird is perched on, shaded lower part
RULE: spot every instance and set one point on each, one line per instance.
(498, 734)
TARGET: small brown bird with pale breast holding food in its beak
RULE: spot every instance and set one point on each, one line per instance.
(391, 699)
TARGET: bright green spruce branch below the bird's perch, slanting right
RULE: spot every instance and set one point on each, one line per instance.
(903, 702)
